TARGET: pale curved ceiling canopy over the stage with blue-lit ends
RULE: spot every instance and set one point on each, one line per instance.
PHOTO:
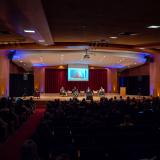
(103, 58)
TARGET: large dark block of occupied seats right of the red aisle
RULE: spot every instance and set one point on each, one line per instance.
(111, 129)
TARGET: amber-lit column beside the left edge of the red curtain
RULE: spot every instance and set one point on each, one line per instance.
(39, 78)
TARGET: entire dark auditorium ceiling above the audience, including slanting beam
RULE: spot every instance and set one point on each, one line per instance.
(80, 21)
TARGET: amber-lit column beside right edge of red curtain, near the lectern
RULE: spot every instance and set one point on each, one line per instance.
(112, 80)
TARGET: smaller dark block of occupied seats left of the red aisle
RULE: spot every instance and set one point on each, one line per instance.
(13, 112)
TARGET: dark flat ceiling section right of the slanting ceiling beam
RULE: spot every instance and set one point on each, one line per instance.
(85, 20)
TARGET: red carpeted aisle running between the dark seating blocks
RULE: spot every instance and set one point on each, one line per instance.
(11, 149)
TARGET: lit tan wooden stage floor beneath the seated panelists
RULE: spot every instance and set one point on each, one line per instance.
(53, 96)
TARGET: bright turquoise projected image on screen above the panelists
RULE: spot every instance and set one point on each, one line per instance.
(77, 74)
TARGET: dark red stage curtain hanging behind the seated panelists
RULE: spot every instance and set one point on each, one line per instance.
(55, 78)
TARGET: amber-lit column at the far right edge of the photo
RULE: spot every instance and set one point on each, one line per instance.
(155, 76)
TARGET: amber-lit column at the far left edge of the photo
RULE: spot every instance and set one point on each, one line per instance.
(4, 74)
